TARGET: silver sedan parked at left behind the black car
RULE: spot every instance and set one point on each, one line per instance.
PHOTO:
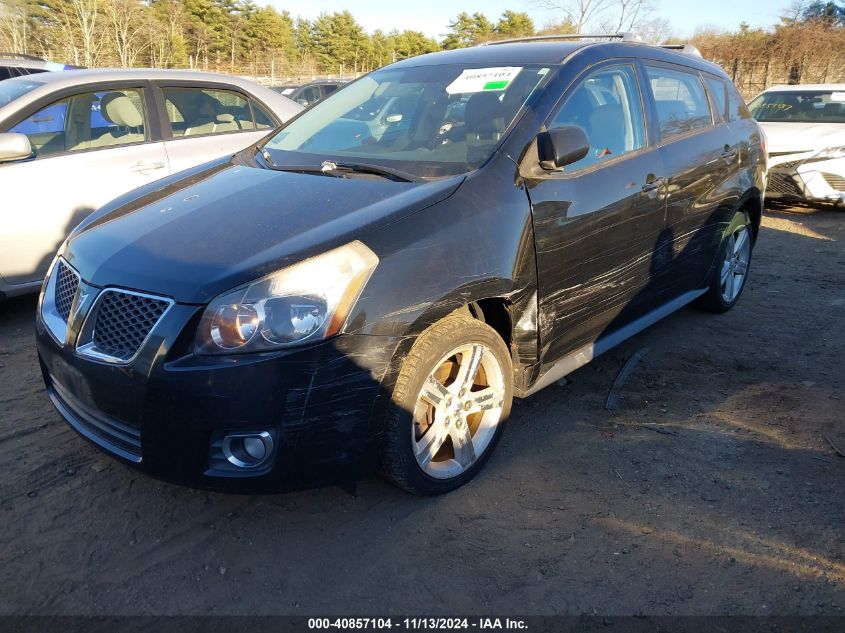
(74, 140)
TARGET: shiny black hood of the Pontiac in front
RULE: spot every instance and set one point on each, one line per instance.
(229, 222)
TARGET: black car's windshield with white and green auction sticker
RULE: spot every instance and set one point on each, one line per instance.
(426, 121)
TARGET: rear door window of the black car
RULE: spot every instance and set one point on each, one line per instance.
(680, 99)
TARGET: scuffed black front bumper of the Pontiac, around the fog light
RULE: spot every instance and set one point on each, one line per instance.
(166, 413)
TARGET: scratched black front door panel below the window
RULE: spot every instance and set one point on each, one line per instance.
(597, 237)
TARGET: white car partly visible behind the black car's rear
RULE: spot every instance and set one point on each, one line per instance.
(805, 131)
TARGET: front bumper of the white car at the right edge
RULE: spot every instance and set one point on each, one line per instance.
(799, 177)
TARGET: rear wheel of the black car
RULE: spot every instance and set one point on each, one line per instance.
(720, 297)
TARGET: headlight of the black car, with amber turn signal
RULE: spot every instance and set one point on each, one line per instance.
(305, 302)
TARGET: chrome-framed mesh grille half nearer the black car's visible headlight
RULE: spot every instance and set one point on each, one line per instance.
(122, 322)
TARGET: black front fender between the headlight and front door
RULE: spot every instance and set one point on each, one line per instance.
(476, 244)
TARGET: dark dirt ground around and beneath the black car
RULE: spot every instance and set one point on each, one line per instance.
(712, 490)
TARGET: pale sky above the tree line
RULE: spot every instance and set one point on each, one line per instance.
(433, 16)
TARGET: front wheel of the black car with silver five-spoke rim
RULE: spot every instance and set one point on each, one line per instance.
(439, 434)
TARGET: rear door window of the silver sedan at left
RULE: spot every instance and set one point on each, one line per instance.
(203, 111)
